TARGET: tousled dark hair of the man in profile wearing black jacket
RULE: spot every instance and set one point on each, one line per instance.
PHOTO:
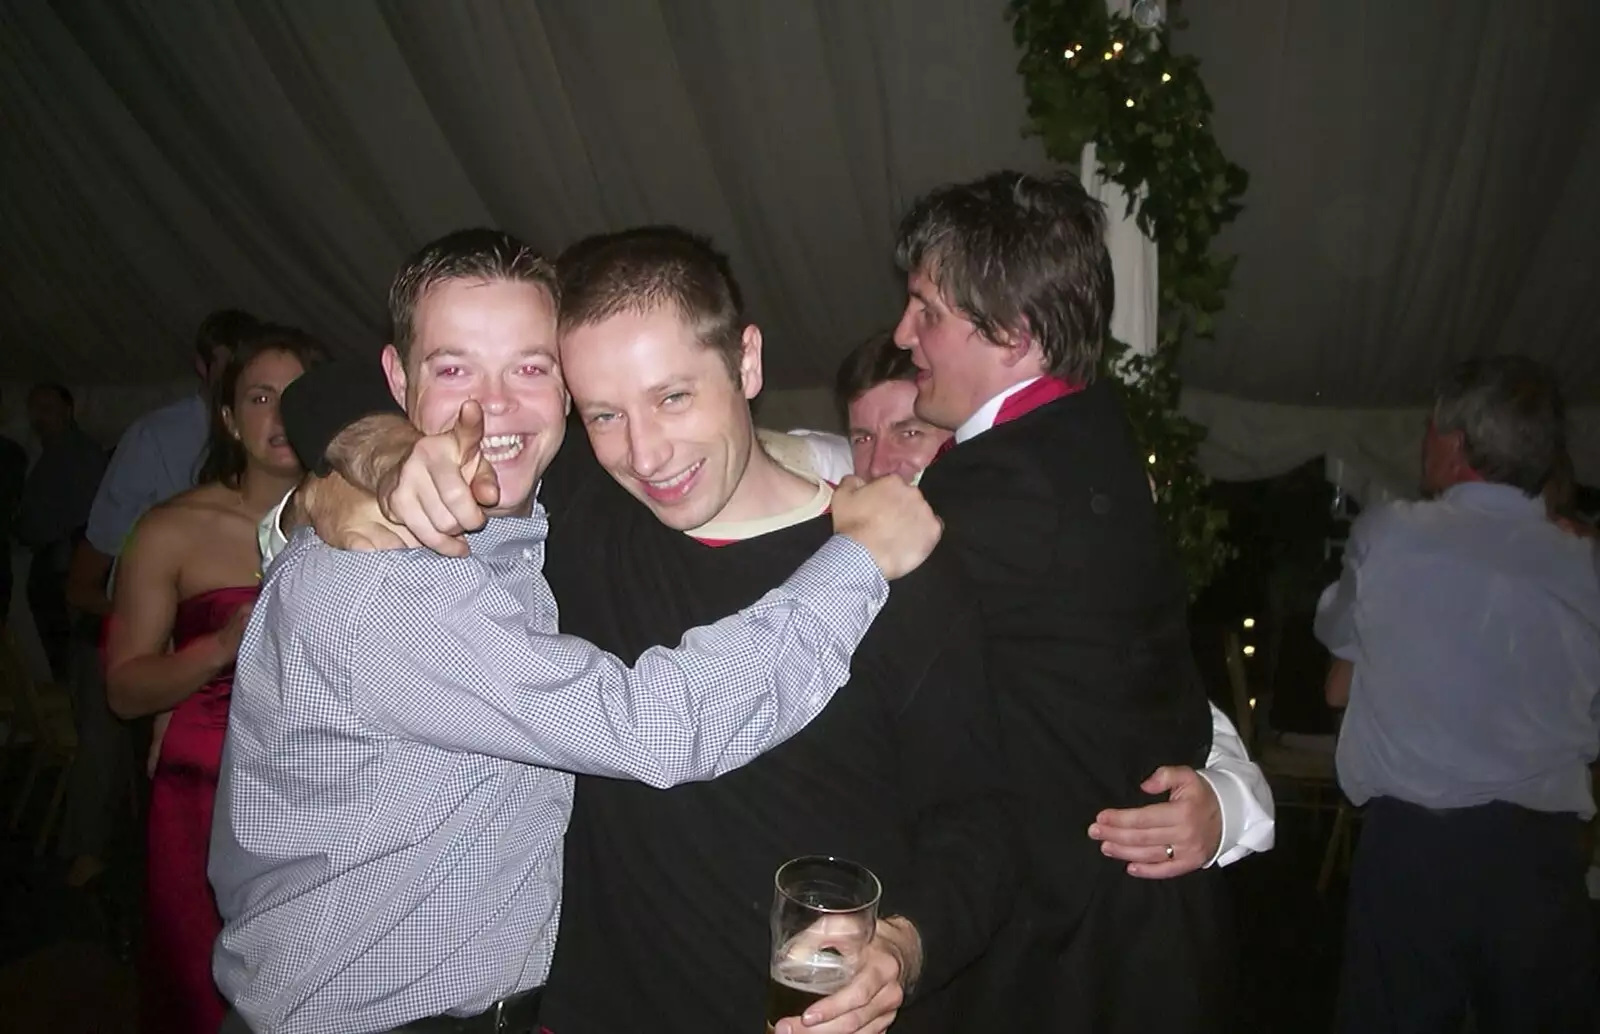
(1014, 250)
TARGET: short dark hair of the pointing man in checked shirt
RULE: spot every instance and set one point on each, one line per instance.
(465, 255)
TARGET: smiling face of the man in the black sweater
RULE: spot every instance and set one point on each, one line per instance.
(665, 415)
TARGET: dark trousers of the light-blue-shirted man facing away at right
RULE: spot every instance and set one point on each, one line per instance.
(1481, 908)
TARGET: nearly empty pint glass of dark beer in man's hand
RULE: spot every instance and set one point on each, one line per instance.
(825, 912)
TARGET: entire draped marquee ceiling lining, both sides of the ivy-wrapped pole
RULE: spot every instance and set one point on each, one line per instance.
(1422, 178)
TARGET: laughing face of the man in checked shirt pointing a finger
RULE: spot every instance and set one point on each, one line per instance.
(492, 342)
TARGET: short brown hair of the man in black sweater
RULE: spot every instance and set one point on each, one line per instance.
(652, 268)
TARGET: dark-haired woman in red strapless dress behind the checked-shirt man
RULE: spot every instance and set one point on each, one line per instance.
(185, 588)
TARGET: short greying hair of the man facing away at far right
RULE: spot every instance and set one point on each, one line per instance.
(1511, 419)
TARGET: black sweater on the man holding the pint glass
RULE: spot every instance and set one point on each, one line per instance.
(665, 921)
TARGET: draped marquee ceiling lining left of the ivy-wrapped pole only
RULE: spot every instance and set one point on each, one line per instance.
(169, 158)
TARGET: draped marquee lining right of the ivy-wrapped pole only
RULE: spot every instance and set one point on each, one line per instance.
(1423, 188)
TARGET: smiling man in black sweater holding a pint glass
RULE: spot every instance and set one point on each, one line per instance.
(668, 507)
